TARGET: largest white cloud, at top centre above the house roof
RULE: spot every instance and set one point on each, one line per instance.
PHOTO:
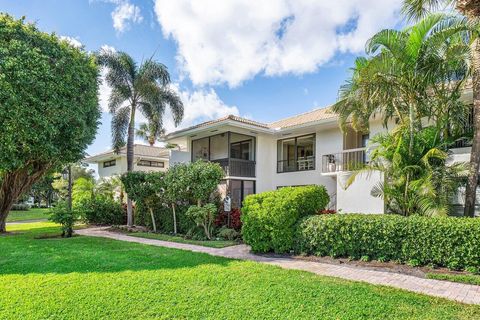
(232, 41)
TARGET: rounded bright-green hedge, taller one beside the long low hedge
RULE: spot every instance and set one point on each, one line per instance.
(269, 218)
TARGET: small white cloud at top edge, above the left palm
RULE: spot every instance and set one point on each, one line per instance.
(124, 14)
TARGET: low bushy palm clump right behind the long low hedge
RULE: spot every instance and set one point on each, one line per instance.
(418, 179)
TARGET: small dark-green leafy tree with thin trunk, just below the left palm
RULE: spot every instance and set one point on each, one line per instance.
(145, 187)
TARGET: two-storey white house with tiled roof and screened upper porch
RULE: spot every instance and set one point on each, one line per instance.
(304, 149)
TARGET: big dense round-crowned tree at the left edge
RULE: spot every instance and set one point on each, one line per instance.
(48, 106)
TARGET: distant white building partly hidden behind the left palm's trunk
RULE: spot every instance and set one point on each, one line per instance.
(146, 158)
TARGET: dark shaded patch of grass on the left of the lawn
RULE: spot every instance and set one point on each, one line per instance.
(22, 254)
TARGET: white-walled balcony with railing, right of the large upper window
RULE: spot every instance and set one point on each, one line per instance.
(346, 160)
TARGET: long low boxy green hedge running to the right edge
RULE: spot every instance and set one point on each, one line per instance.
(416, 240)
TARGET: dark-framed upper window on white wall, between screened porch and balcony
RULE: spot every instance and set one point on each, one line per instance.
(296, 154)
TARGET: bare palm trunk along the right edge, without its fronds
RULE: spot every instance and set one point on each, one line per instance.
(471, 189)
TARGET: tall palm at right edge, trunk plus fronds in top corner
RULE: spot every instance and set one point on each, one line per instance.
(471, 10)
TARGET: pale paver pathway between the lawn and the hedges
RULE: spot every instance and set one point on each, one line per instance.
(450, 290)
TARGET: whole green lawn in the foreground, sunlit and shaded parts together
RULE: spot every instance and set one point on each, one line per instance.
(97, 278)
